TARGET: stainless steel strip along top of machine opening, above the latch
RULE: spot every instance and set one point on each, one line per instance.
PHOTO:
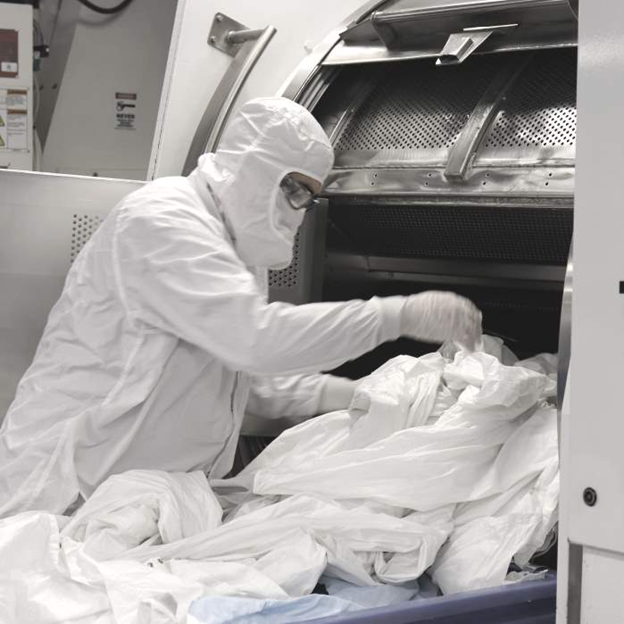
(413, 24)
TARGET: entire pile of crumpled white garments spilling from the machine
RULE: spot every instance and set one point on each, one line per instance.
(443, 465)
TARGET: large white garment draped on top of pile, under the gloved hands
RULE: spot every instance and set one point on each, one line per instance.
(380, 456)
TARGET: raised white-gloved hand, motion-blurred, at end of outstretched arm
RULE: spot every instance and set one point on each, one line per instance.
(436, 316)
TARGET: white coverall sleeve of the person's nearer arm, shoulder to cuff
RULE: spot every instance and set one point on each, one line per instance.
(178, 273)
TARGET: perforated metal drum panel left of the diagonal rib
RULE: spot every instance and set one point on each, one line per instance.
(419, 106)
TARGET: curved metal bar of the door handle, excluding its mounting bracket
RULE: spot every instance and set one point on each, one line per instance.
(220, 106)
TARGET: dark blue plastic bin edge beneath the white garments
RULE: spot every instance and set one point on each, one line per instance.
(532, 602)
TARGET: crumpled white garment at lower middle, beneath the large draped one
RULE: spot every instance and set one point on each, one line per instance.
(313, 535)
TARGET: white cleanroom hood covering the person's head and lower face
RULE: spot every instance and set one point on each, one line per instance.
(266, 140)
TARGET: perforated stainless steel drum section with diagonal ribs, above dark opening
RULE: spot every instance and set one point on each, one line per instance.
(484, 113)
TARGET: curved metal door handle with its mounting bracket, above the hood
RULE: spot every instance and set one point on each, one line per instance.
(247, 47)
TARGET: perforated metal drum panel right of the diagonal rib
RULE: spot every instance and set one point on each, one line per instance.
(540, 110)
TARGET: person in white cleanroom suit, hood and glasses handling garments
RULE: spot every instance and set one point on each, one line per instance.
(163, 336)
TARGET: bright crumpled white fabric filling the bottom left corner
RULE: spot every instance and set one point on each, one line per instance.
(51, 580)
